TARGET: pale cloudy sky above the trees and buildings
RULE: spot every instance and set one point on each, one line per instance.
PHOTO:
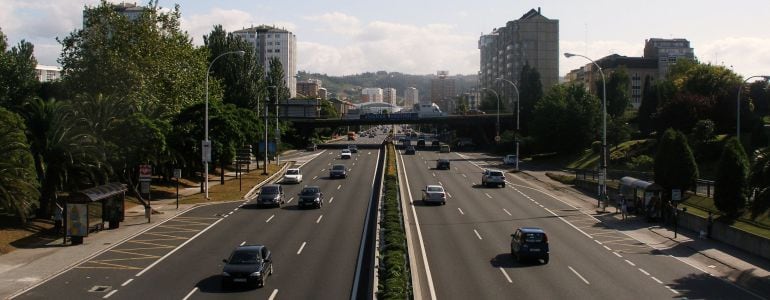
(345, 37)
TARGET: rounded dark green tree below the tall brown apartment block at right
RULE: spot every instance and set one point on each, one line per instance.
(566, 120)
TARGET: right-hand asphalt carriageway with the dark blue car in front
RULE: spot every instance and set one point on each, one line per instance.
(467, 244)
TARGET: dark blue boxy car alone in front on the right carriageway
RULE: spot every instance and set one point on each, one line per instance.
(530, 243)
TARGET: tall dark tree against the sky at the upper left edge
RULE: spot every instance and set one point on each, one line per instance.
(18, 81)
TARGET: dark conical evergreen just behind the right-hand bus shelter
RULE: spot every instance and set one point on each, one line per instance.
(675, 166)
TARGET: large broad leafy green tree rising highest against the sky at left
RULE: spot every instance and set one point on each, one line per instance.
(149, 60)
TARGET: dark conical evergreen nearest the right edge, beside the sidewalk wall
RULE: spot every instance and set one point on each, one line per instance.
(731, 189)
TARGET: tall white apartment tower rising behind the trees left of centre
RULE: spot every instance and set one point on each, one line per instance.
(272, 42)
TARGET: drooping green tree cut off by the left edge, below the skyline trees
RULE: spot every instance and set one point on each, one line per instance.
(19, 192)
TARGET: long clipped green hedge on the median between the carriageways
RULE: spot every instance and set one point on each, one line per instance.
(394, 272)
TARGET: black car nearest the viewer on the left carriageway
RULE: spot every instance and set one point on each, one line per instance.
(249, 265)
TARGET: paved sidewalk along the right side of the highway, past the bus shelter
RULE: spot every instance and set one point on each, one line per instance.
(718, 259)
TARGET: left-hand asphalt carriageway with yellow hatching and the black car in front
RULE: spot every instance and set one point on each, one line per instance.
(314, 250)
